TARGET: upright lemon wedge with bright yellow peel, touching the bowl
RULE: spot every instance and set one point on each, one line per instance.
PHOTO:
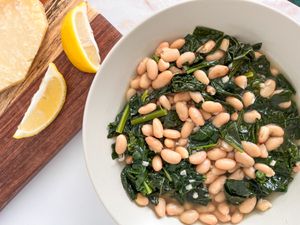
(78, 40)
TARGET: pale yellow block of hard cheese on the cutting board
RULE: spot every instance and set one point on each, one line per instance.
(23, 24)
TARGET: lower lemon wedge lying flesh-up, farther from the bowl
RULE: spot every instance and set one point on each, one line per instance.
(45, 104)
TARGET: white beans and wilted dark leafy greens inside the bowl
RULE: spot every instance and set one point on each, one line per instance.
(209, 130)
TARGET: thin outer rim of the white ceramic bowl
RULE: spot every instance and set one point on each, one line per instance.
(97, 77)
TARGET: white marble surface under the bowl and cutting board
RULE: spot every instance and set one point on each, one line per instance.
(62, 193)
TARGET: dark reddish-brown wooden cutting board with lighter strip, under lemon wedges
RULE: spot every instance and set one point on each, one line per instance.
(21, 159)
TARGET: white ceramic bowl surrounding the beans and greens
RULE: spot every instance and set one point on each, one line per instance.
(250, 22)
